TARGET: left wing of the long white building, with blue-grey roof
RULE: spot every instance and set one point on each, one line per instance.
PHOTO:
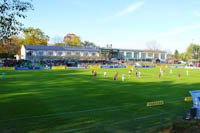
(36, 53)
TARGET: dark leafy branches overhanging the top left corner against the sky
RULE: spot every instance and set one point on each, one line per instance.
(10, 12)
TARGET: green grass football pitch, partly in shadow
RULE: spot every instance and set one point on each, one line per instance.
(35, 101)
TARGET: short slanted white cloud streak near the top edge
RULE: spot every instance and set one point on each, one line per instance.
(131, 8)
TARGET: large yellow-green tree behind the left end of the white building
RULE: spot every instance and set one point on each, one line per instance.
(34, 37)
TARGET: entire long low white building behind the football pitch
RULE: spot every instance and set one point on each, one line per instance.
(37, 53)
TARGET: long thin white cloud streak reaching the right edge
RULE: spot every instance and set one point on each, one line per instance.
(178, 31)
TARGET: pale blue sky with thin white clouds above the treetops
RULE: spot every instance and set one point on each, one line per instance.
(171, 24)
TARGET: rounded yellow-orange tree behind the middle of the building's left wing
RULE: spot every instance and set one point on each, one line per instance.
(72, 40)
